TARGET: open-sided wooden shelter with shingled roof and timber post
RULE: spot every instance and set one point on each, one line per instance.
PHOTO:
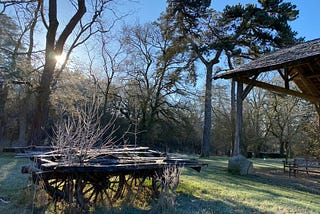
(299, 64)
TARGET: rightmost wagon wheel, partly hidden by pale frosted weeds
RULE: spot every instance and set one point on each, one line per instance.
(165, 180)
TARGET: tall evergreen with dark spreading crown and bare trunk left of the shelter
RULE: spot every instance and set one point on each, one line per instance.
(239, 31)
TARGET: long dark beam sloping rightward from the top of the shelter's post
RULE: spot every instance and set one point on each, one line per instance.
(278, 89)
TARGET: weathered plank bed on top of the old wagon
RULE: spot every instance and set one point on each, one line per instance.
(108, 161)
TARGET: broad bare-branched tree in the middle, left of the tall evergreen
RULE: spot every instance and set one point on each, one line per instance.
(156, 73)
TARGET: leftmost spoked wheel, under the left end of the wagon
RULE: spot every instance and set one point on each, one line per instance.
(59, 188)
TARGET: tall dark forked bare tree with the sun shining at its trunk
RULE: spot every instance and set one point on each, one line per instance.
(55, 46)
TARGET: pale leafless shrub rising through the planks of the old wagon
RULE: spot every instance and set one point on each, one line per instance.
(75, 135)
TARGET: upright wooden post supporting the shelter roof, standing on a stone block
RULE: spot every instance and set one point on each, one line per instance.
(238, 134)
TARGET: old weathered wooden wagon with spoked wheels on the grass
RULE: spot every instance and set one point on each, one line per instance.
(102, 175)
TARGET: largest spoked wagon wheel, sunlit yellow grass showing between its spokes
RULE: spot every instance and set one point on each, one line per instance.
(98, 189)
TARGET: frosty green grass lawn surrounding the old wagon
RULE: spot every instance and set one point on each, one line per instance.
(213, 190)
